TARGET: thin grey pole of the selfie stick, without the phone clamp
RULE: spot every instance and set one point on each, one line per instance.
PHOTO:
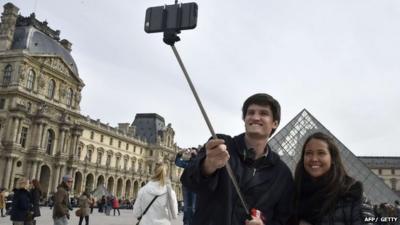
(227, 166)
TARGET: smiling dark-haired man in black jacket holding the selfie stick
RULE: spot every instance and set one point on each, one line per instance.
(264, 179)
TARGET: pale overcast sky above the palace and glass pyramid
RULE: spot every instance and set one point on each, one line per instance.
(339, 59)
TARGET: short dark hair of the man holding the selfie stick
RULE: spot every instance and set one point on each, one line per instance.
(263, 100)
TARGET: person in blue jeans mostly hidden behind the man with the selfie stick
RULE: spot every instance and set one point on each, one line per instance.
(184, 159)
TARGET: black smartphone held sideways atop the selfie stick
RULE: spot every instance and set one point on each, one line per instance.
(175, 17)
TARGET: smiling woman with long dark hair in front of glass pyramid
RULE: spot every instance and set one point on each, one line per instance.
(325, 193)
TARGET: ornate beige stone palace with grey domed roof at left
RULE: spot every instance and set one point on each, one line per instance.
(44, 136)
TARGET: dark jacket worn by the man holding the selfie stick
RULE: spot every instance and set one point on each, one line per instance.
(267, 185)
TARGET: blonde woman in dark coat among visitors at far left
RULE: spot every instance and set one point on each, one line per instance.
(21, 206)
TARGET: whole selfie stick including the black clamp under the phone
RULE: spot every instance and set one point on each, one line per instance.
(170, 37)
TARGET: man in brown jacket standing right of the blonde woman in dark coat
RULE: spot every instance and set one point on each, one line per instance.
(61, 201)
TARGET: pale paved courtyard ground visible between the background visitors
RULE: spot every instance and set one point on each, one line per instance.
(96, 218)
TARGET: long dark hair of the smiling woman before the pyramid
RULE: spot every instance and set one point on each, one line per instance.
(336, 179)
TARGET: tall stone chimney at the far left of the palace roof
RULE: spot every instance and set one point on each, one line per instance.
(7, 26)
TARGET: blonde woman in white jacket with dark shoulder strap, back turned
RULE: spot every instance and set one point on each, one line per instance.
(164, 208)
